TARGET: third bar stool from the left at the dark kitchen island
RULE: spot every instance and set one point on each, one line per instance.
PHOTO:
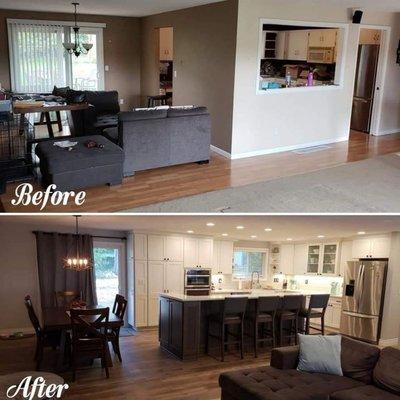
(289, 312)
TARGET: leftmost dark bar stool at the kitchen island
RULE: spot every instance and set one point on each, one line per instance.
(232, 314)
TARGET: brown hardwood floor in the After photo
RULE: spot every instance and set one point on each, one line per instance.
(145, 373)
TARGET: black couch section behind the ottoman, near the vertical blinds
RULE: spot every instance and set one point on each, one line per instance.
(102, 113)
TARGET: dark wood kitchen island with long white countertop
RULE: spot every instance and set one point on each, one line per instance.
(183, 319)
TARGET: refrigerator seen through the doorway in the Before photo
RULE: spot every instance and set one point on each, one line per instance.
(364, 90)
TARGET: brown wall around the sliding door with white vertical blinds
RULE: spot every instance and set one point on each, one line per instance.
(121, 50)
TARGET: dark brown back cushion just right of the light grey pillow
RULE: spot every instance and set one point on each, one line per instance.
(359, 359)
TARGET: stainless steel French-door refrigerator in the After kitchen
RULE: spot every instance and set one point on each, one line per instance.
(363, 299)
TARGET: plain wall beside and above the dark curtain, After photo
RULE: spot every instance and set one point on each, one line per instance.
(18, 271)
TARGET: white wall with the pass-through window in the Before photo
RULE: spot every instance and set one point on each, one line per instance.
(262, 123)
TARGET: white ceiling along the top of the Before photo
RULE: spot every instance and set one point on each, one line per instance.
(139, 8)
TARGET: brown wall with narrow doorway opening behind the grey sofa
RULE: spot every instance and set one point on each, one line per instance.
(204, 53)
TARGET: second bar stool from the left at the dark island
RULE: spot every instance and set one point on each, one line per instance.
(265, 313)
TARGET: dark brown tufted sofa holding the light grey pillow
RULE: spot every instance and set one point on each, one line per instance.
(369, 373)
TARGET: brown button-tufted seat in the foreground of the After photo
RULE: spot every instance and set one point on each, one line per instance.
(269, 383)
